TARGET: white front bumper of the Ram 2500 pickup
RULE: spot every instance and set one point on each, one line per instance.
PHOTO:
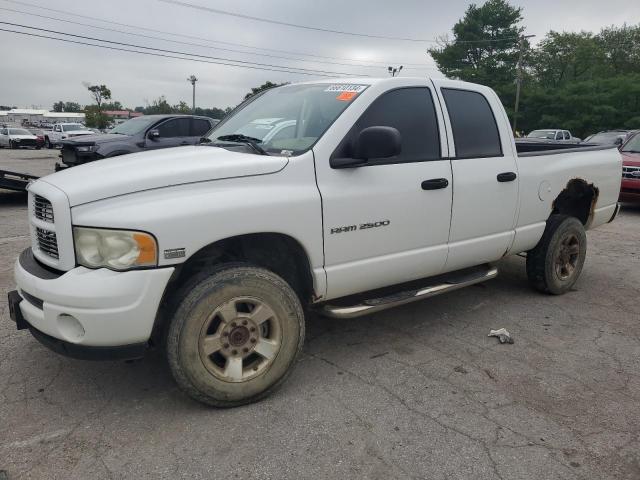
(90, 308)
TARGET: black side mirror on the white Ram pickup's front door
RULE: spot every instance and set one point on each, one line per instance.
(371, 143)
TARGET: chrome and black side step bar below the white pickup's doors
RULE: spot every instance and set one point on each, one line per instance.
(443, 284)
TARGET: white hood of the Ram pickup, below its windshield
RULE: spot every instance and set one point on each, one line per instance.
(136, 172)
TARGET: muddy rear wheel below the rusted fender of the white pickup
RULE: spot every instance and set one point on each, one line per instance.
(555, 264)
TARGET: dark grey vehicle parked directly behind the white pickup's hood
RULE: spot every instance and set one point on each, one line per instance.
(148, 132)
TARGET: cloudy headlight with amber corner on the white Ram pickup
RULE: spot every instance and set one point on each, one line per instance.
(115, 249)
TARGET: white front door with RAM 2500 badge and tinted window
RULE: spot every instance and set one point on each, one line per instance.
(388, 222)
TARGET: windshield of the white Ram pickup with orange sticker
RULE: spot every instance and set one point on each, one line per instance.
(289, 119)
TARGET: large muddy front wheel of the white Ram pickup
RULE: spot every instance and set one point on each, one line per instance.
(235, 335)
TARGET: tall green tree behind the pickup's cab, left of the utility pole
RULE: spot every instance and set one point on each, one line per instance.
(484, 48)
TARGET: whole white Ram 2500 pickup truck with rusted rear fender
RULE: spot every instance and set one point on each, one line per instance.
(383, 192)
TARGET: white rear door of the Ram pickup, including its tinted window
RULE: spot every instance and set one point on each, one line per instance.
(485, 175)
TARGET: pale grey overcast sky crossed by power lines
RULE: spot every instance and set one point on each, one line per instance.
(37, 72)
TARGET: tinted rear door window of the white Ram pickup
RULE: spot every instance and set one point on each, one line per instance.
(475, 131)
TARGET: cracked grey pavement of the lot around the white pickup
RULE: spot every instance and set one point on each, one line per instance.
(415, 392)
